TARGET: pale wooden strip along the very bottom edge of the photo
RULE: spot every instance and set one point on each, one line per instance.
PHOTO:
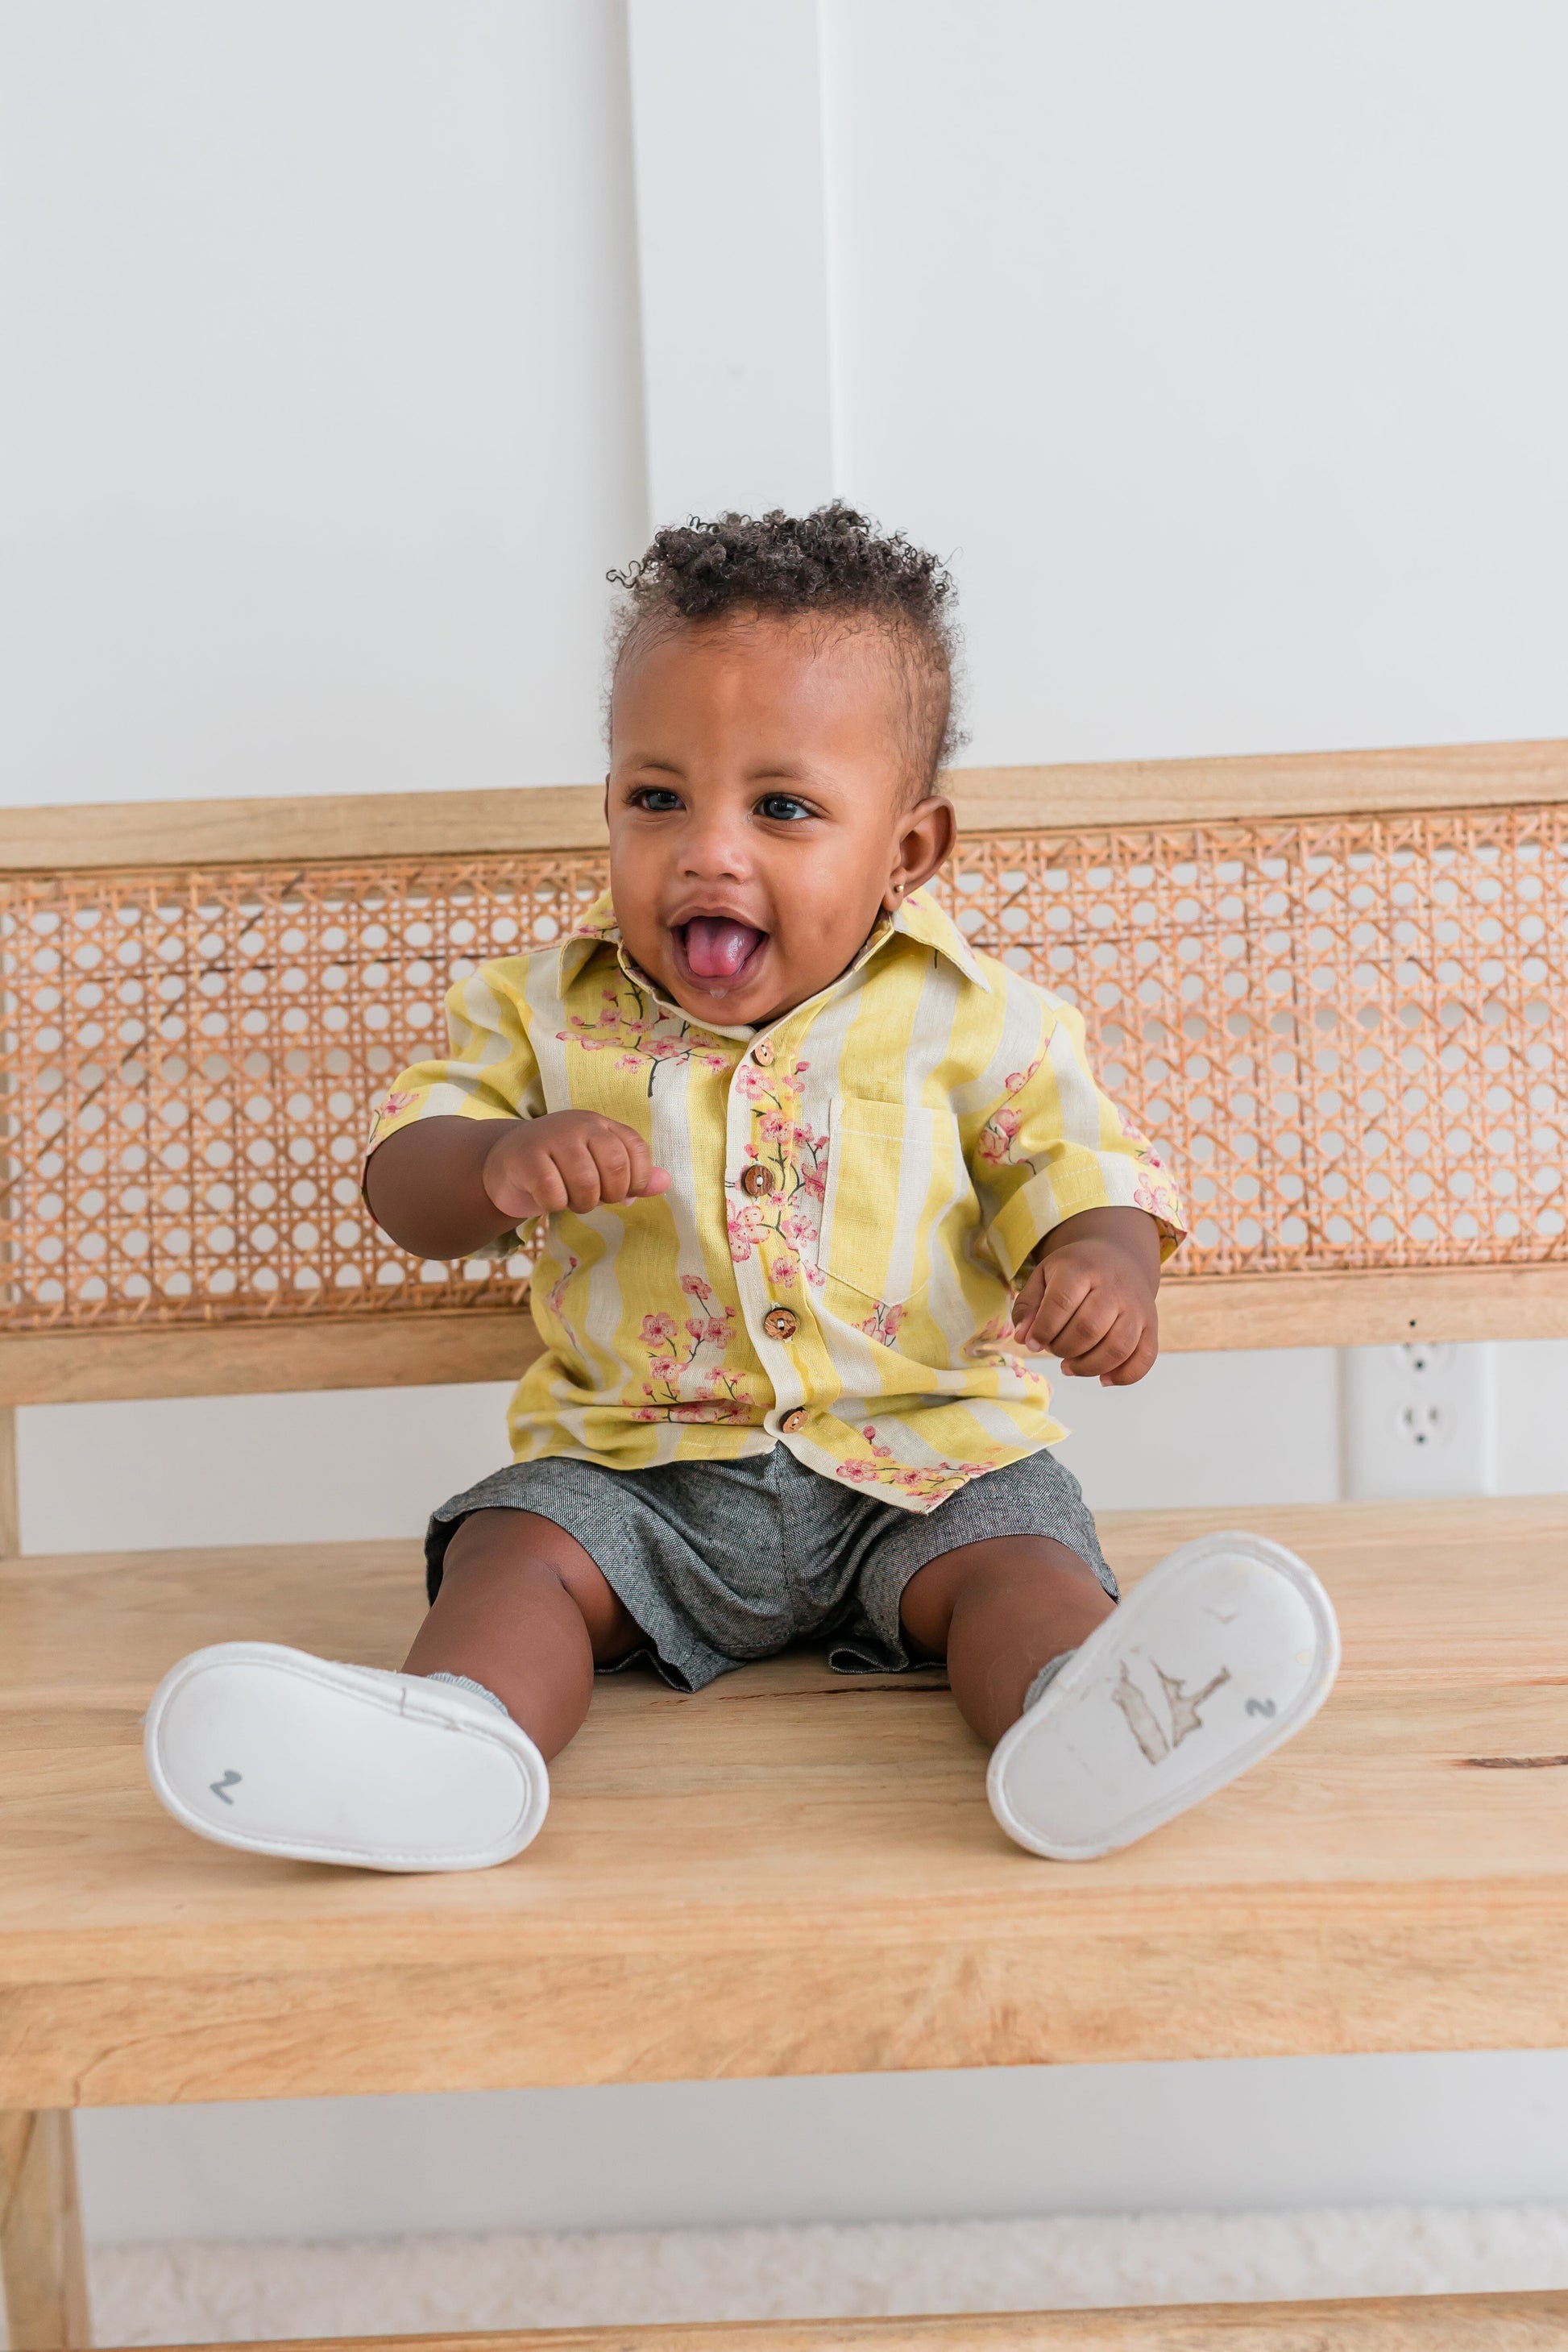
(1386, 2325)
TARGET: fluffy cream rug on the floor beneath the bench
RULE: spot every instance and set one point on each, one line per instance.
(229, 2294)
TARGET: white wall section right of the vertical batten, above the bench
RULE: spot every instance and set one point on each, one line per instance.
(1224, 347)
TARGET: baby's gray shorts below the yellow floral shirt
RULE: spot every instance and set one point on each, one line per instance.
(725, 1563)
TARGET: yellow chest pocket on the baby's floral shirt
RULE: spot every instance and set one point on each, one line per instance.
(880, 1163)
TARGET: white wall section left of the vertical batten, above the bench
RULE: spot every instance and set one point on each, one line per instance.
(321, 392)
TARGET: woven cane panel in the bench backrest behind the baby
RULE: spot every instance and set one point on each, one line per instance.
(1343, 1034)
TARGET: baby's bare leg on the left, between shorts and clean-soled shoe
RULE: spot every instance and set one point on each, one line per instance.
(530, 1615)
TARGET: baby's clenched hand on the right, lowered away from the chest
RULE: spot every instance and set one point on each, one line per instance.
(1092, 1302)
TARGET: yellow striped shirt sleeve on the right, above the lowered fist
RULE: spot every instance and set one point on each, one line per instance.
(1057, 1147)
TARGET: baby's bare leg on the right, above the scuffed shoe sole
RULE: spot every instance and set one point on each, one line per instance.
(998, 1612)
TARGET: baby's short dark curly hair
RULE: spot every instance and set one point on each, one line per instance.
(831, 566)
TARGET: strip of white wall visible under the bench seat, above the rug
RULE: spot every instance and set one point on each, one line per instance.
(1235, 2134)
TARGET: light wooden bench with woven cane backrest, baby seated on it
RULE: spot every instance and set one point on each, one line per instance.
(1287, 968)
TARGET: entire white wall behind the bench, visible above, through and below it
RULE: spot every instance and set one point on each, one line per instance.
(1224, 352)
